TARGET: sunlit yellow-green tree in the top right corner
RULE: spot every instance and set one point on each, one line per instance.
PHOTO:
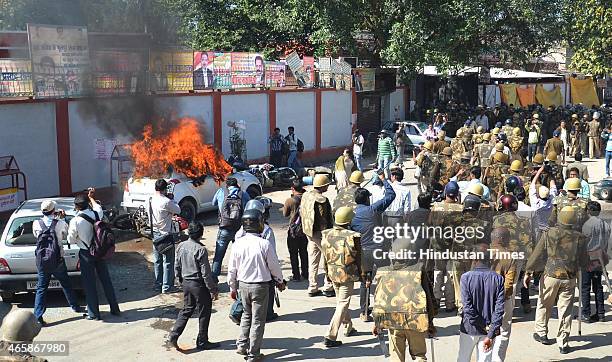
(589, 35)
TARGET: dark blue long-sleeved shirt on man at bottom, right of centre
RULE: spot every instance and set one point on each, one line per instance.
(482, 293)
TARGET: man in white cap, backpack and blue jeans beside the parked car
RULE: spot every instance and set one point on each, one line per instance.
(61, 273)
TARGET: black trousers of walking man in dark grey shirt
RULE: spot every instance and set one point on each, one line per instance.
(196, 298)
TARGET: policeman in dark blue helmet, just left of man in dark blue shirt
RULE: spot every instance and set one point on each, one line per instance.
(446, 213)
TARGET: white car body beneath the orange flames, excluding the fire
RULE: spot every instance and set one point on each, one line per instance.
(192, 197)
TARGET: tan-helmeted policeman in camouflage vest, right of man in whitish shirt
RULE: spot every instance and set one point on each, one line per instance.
(342, 251)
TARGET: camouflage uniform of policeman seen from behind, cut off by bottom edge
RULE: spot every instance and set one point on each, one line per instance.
(403, 306)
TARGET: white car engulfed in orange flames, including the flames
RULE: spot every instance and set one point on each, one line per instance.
(194, 170)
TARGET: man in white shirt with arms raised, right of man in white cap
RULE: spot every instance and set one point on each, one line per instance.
(81, 233)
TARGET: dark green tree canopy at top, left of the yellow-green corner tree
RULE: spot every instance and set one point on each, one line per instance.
(451, 34)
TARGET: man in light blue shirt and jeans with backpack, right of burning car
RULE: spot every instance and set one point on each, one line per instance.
(225, 235)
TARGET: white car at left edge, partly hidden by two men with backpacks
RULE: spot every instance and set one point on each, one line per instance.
(18, 271)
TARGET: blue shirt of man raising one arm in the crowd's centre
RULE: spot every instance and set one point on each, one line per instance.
(366, 216)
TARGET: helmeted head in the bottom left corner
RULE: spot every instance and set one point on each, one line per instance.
(19, 327)
